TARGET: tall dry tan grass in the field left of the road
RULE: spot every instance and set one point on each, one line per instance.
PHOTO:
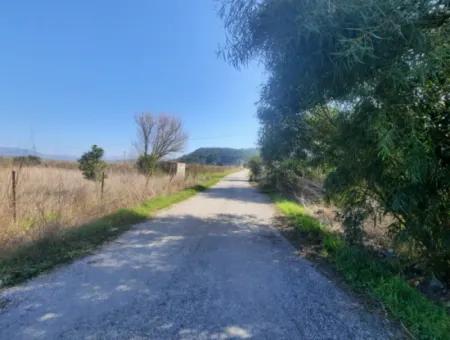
(51, 199)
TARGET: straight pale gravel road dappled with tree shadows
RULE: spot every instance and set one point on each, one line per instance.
(211, 267)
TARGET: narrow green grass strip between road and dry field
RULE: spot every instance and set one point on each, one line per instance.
(37, 257)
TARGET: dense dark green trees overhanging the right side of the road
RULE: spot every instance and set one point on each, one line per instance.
(360, 89)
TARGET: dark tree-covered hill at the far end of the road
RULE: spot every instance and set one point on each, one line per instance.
(219, 156)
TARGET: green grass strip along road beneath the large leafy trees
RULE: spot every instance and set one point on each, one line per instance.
(373, 276)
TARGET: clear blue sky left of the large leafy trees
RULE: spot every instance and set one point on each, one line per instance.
(74, 73)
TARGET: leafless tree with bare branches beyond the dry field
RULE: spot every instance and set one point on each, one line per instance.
(158, 137)
